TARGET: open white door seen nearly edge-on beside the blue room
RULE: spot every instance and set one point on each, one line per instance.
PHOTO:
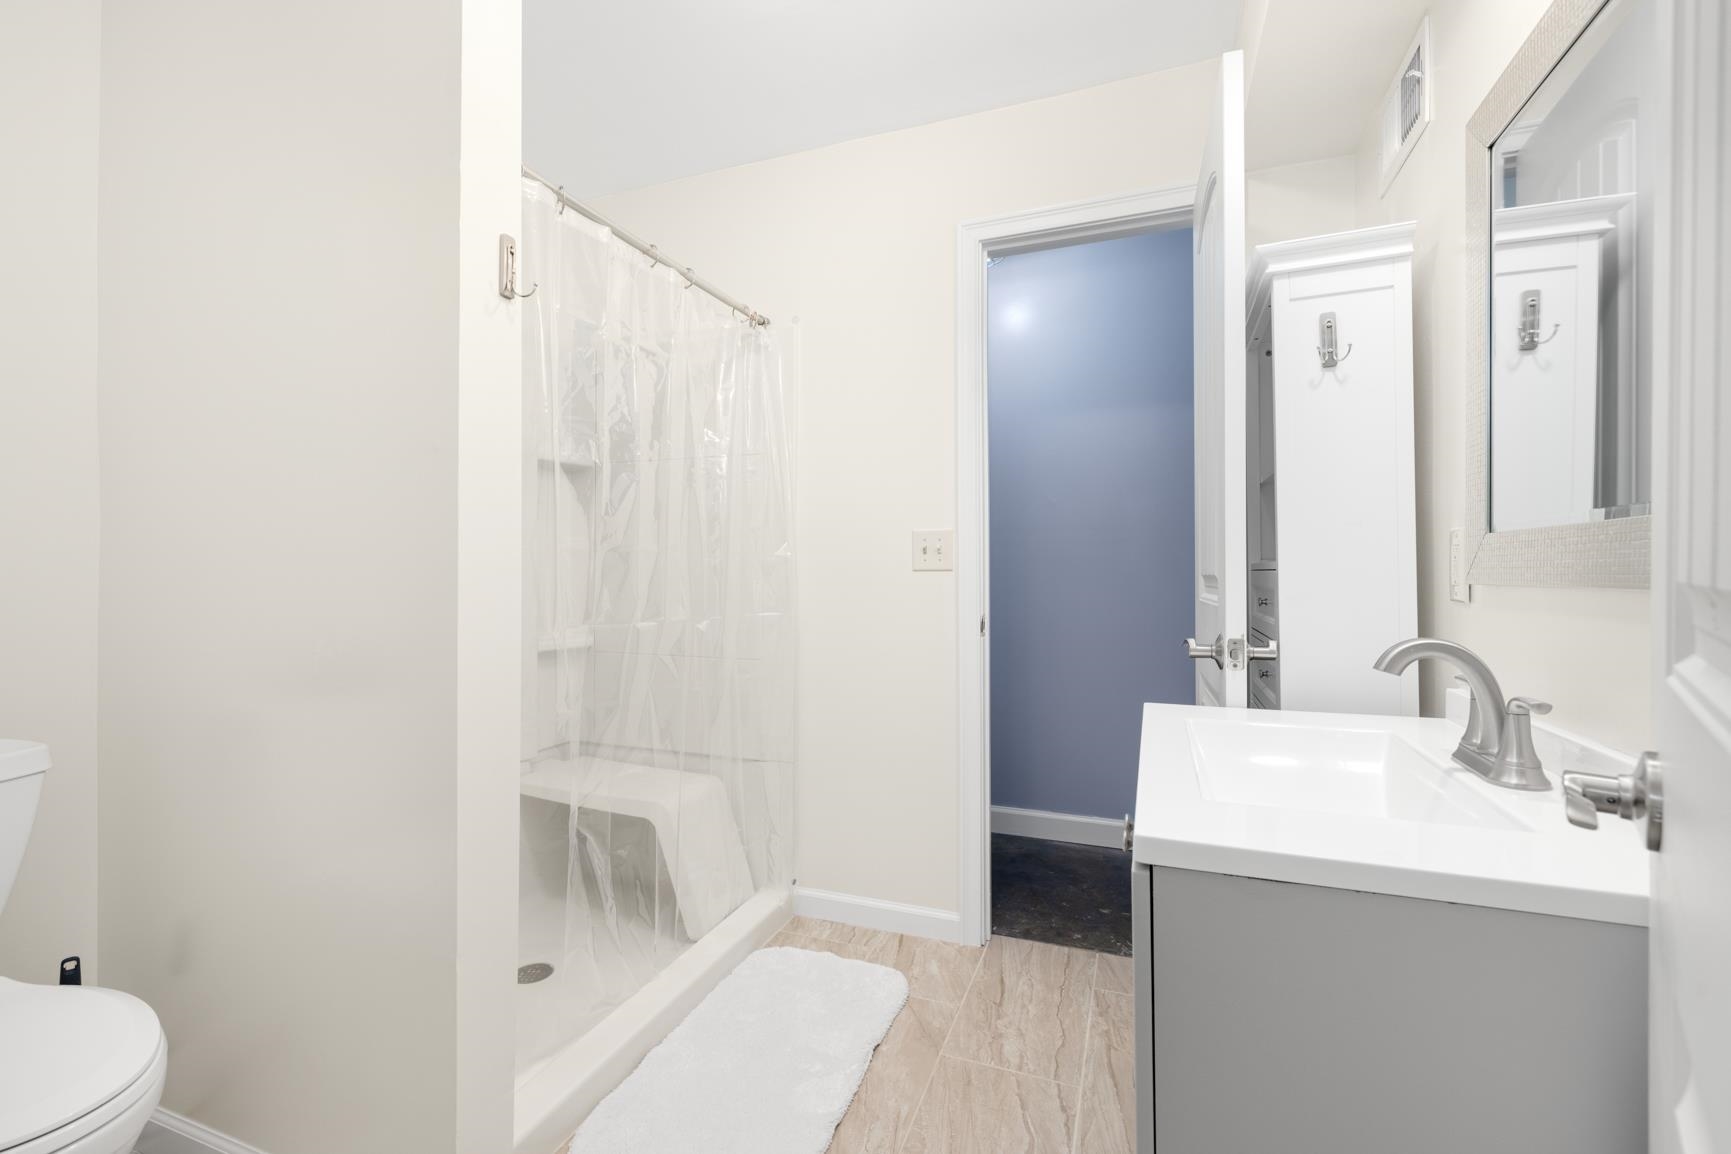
(1219, 356)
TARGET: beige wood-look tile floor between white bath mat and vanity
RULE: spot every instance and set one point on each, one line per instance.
(1019, 1048)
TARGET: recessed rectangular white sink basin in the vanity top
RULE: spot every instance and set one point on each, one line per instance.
(1363, 773)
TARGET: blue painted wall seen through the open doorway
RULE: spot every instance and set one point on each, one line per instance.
(1093, 513)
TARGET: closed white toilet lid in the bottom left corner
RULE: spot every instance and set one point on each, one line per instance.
(67, 1051)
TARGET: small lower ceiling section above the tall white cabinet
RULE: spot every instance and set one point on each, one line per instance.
(1320, 77)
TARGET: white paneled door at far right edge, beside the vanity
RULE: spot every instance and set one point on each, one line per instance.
(1690, 968)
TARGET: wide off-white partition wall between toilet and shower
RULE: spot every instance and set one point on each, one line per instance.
(304, 413)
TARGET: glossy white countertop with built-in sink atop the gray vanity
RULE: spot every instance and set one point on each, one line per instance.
(1498, 847)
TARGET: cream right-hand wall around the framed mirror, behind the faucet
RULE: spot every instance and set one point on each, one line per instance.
(1586, 651)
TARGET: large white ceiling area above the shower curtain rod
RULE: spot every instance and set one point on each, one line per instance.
(621, 94)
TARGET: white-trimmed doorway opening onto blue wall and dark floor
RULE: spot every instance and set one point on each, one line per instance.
(1086, 537)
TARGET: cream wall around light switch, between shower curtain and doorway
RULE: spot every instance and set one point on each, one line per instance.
(858, 241)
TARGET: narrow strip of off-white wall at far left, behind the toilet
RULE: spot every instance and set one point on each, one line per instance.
(49, 56)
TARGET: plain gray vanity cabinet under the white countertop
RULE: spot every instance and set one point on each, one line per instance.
(1278, 1018)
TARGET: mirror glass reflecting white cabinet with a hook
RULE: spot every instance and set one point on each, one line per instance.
(1571, 222)
